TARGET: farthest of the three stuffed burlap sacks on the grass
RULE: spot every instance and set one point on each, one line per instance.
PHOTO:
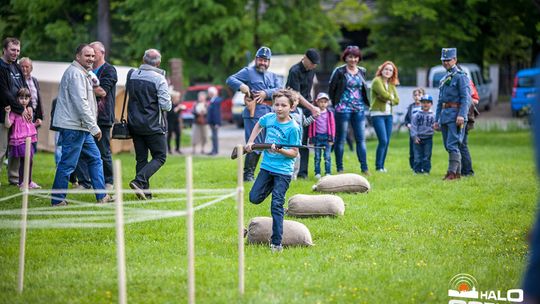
(348, 182)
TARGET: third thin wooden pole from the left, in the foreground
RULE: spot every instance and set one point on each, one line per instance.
(190, 236)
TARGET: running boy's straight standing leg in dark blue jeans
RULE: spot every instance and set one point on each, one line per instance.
(281, 185)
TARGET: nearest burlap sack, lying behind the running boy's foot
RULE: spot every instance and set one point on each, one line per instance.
(294, 233)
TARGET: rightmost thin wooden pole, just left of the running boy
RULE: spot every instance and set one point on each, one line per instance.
(240, 205)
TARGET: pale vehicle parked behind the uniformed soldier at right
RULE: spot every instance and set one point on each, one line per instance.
(473, 71)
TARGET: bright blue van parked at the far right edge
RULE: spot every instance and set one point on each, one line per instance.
(524, 90)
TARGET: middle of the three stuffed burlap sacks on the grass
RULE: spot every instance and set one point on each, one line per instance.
(315, 205)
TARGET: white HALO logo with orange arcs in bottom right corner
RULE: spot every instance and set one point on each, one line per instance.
(465, 286)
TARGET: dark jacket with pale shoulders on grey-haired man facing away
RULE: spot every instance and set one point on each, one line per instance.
(148, 97)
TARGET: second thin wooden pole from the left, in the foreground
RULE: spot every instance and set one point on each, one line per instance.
(120, 249)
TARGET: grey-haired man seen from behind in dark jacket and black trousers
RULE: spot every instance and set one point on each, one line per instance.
(148, 98)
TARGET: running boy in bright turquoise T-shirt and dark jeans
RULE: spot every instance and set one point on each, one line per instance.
(277, 164)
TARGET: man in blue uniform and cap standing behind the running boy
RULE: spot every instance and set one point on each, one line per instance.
(258, 84)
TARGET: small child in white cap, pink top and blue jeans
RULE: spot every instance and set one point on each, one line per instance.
(322, 134)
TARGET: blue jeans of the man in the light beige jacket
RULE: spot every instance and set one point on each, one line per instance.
(74, 144)
